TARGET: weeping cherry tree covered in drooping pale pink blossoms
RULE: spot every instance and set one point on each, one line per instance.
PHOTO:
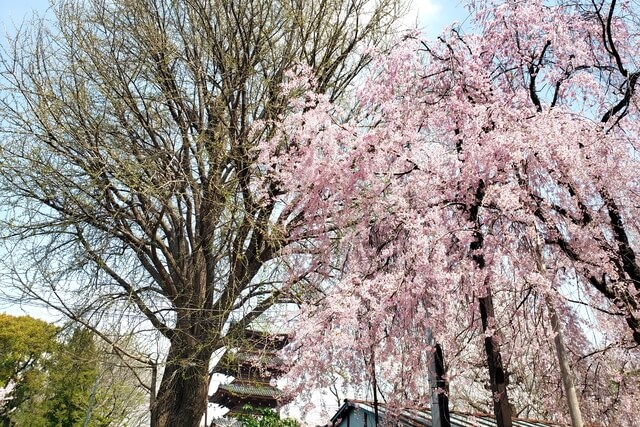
(486, 183)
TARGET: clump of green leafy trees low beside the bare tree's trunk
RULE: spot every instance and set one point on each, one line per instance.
(56, 377)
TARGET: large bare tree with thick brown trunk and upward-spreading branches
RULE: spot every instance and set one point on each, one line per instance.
(129, 173)
